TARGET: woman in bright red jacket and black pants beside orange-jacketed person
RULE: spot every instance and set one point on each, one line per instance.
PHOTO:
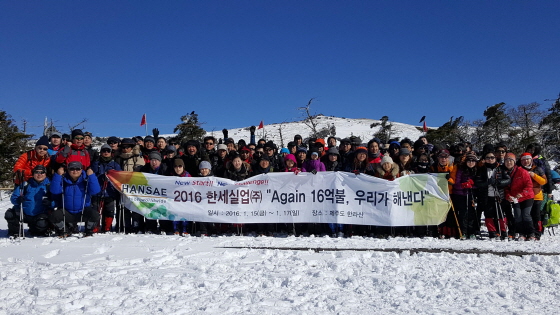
(520, 194)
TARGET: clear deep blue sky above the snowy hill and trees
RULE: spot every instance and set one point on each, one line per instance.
(239, 62)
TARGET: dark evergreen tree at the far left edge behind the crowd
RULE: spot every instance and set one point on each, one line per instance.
(12, 144)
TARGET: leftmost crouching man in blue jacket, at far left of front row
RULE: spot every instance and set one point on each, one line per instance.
(32, 198)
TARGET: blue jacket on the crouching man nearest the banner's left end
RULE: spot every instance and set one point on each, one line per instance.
(74, 192)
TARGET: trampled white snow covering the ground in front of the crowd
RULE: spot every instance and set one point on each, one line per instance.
(153, 274)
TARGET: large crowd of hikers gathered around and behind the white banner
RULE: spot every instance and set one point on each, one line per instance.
(62, 182)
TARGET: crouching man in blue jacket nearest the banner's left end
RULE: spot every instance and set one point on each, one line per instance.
(72, 193)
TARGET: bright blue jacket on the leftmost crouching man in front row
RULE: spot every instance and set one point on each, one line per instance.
(33, 199)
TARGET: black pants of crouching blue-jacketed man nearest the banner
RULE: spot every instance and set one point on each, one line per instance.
(59, 216)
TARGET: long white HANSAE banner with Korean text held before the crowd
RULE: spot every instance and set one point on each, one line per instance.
(325, 197)
